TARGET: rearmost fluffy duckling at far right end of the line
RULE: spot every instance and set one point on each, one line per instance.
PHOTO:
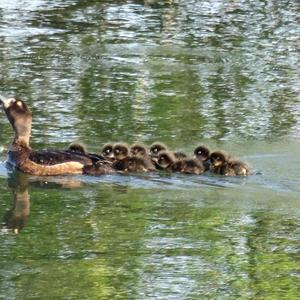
(223, 164)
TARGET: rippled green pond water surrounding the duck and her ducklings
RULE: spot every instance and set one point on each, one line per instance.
(220, 72)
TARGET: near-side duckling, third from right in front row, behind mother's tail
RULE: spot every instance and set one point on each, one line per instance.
(130, 163)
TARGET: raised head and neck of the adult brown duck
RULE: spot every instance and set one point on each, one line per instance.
(19, 116)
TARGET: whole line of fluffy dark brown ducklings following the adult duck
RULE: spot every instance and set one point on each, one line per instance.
(136, 158)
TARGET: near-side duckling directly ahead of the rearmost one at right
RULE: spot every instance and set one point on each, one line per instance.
(168, 162)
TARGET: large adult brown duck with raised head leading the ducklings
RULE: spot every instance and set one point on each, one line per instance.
(40, 162)
